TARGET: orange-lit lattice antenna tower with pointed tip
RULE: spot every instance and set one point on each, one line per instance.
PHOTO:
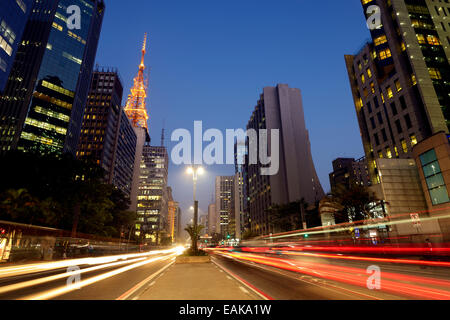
(136, 106)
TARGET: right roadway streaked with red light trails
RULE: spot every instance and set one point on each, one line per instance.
(281, 284)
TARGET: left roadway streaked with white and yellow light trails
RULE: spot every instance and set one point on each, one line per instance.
(102, 281)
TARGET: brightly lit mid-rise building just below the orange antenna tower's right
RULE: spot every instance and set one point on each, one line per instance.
(152, 199)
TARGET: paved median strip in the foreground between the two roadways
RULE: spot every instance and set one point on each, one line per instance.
(196, 281)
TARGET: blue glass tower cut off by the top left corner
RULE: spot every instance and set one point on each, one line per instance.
(13, 18)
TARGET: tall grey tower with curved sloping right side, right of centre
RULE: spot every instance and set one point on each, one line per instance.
(281, 108)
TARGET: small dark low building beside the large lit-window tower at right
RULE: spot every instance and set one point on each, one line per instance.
(348, 172)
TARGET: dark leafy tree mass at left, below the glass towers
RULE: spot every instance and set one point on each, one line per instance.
(61, 192)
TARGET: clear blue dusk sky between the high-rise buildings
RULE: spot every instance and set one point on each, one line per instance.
(210, 60)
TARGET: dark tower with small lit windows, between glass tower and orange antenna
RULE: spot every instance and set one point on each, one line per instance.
(107, 135)
